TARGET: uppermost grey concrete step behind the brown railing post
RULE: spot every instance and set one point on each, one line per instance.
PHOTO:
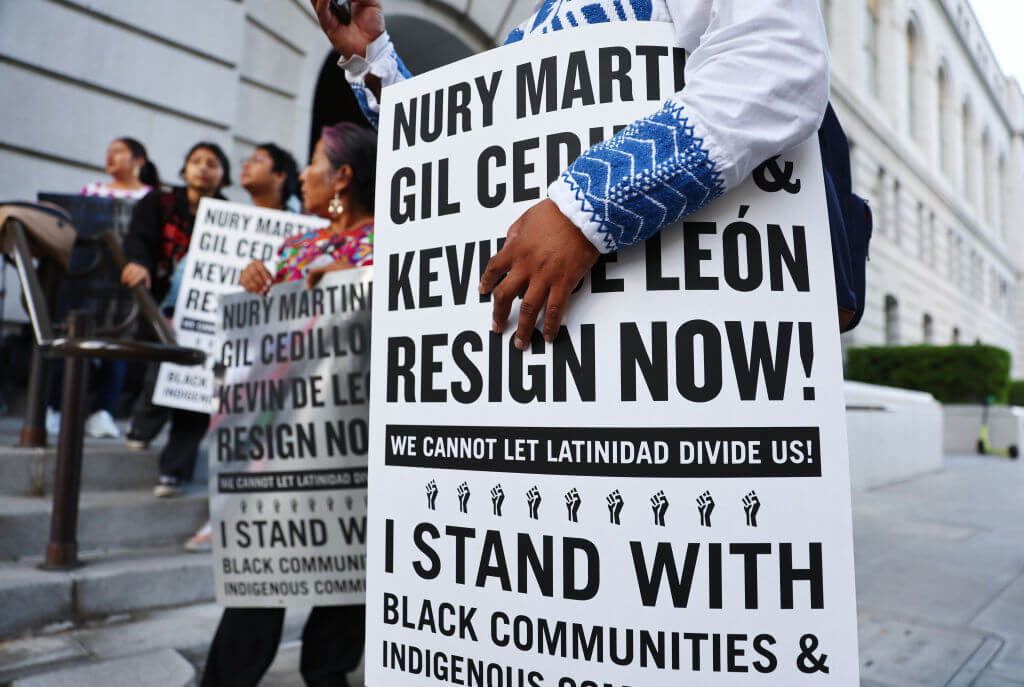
(107, 465)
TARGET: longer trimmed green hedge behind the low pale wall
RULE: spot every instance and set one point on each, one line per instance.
(952, 374)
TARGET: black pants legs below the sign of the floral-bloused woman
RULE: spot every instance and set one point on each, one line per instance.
(247, 642)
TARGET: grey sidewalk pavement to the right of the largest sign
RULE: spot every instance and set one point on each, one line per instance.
(941, 578)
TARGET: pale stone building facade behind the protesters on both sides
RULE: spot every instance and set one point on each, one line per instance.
(933, 121)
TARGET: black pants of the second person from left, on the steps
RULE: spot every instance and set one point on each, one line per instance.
(188, 430)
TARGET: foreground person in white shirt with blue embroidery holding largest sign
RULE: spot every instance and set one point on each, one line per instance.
(756, 85)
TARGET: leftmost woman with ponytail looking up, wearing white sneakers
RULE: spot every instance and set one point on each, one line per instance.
(133, 177)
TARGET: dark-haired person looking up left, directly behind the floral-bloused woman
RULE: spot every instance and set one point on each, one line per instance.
(272, 178)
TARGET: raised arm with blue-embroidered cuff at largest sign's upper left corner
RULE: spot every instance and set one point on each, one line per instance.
(367, 53)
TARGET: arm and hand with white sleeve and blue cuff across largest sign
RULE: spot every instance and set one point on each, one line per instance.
(756, 87)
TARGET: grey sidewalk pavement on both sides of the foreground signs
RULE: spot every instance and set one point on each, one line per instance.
(941, 585)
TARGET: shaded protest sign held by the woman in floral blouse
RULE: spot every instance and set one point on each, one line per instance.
(288, 445)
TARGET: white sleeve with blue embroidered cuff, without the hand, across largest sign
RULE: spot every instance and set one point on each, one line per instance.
(757, 85)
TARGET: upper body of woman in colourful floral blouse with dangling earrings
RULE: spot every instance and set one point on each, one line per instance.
(338, 185)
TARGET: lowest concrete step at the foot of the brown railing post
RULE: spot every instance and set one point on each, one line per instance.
(109, 584)
